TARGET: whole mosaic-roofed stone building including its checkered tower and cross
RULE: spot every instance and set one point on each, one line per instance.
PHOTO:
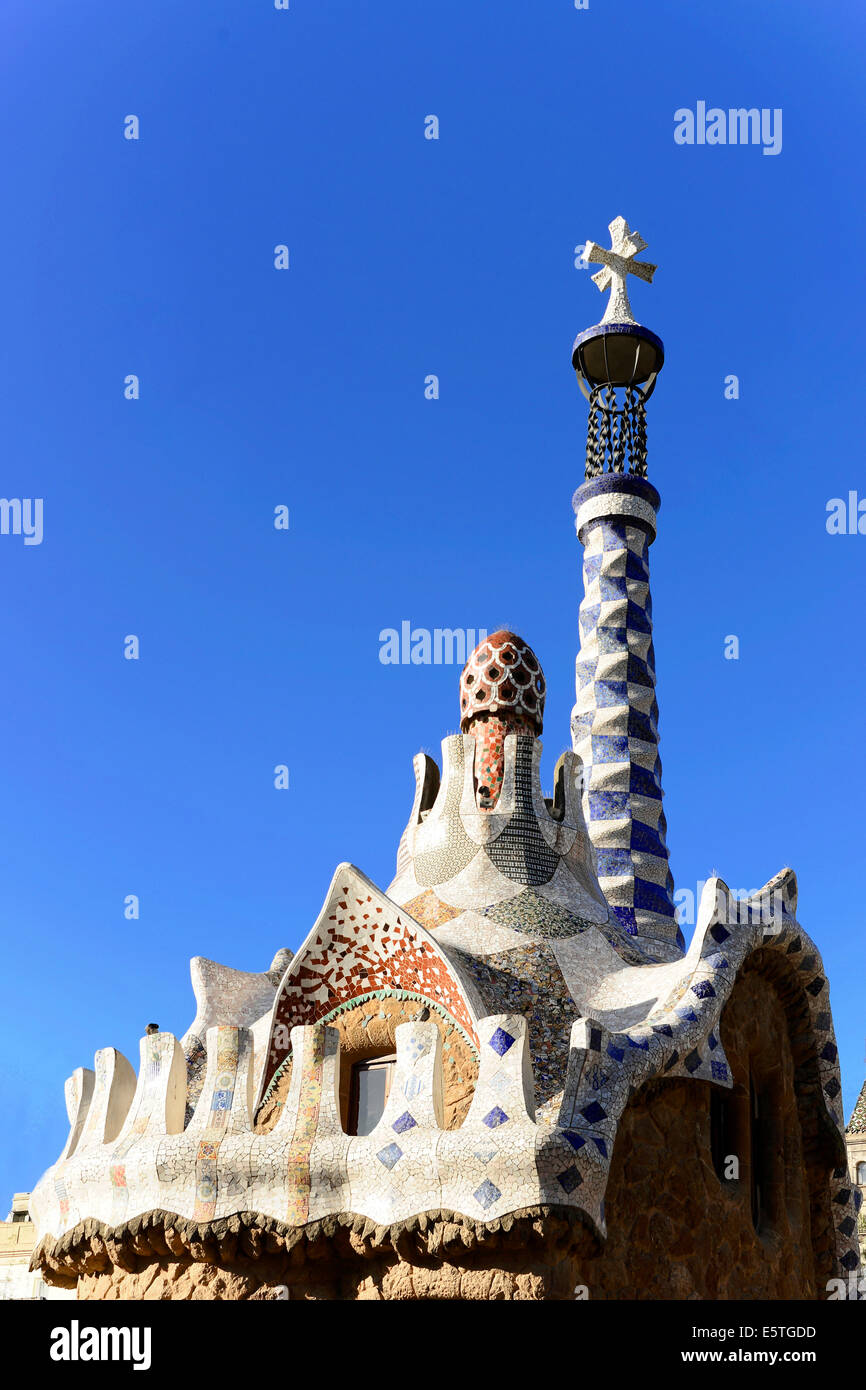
(504, 1075)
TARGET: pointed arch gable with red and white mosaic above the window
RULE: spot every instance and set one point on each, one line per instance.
(362, 949)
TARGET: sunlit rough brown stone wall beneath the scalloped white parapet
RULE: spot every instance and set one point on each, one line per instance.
(441, 1256)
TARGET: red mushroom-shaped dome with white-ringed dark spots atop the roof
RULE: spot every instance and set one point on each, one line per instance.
(504, 678)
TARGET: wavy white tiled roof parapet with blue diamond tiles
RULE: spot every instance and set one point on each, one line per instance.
(505, 1157)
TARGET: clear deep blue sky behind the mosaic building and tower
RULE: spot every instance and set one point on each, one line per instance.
(307, 389)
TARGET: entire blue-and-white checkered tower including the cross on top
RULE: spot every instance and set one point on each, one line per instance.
(615, 721)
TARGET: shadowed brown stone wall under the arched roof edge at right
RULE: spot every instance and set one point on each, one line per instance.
(675, 1228)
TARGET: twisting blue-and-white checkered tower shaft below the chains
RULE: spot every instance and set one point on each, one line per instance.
(615, 721)
